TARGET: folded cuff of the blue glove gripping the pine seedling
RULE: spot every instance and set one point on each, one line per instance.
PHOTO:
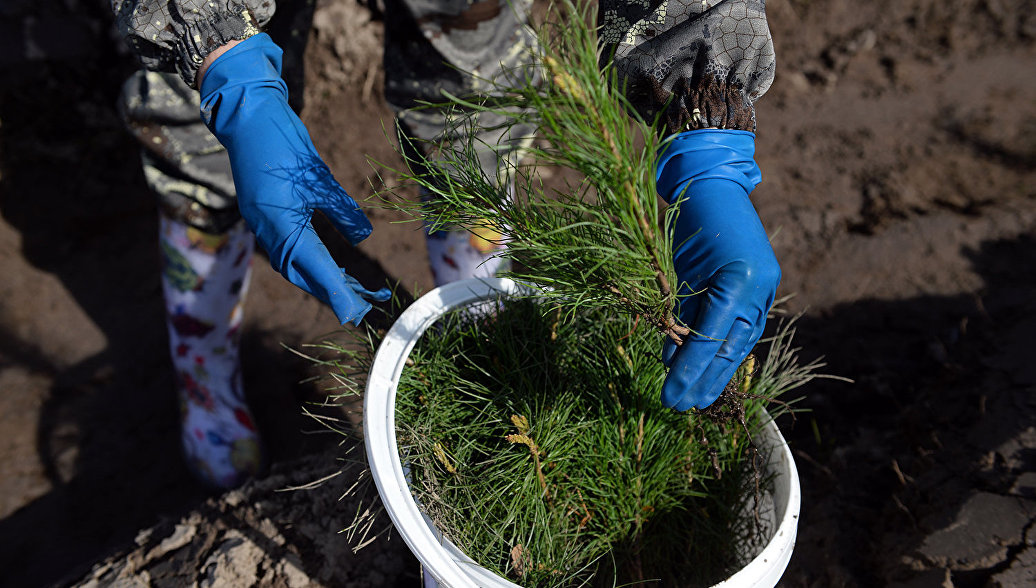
(708, 154)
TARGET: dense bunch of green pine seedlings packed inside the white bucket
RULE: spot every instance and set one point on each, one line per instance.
(537, 445)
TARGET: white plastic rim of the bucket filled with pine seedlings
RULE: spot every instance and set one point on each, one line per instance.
(440, 557)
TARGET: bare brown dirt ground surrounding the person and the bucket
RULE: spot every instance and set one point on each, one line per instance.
(899, 151)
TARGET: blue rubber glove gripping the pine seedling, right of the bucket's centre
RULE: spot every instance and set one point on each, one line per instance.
(728, 271)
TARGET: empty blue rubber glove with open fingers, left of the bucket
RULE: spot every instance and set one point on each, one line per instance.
(280, 178)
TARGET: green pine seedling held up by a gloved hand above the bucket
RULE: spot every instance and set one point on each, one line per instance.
(598, 241)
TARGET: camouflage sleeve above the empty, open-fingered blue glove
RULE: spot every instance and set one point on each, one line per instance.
(176, 36)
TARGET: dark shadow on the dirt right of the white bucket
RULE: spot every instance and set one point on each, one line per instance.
(920, 463)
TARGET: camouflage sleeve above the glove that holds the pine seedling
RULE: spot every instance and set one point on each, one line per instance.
(698, 64)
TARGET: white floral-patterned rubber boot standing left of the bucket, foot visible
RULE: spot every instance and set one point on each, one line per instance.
(206, 279)
